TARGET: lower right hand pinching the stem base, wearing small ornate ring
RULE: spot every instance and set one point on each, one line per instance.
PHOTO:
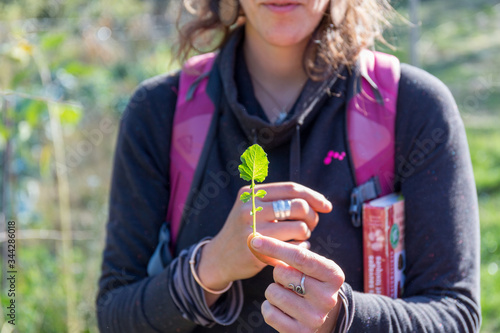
(285, 310)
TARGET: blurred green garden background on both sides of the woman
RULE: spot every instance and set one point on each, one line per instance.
(67, 69)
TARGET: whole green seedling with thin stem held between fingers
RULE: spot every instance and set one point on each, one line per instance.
(253, 169)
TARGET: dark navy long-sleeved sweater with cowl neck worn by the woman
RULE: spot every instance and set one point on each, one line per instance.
(433, 172)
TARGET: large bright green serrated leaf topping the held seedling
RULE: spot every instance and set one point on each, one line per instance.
(254, 164)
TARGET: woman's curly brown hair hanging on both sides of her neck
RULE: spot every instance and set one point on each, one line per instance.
(330, 46)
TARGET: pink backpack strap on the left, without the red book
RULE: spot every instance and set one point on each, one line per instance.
(192, 119)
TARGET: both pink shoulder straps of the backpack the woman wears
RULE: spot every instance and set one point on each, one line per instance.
(371, 116)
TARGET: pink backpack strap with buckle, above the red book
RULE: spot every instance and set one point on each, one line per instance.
(371, 118)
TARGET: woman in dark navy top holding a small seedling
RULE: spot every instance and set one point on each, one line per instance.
(283, 77)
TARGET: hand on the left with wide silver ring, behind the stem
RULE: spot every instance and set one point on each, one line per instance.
(227, 257)
